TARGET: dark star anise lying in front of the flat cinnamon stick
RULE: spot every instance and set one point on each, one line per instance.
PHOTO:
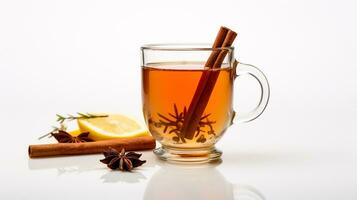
(122, 161)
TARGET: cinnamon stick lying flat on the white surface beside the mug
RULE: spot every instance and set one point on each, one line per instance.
(59, 149)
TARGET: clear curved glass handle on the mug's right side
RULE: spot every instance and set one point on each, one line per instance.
(240, 69)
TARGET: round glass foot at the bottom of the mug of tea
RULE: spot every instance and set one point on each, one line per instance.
(203, 155)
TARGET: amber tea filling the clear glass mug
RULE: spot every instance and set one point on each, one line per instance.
(167, 94)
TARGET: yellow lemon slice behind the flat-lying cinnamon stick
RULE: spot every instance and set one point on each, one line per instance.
(113, 126)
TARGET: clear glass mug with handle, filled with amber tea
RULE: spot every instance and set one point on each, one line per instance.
(171, 74)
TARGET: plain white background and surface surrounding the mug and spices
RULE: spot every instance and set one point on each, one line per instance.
(68, 56)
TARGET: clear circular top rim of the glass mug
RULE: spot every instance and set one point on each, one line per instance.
(183, 47)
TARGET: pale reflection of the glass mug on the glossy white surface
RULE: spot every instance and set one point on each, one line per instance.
(185, 182)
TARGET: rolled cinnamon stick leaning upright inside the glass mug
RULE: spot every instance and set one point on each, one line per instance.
(224, 38)
